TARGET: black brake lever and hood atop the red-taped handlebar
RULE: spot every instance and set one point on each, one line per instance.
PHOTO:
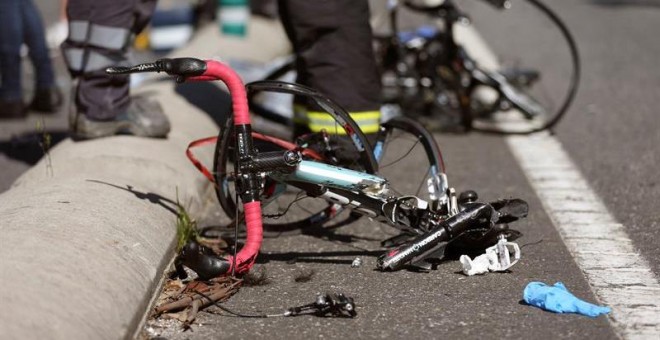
(181, 67)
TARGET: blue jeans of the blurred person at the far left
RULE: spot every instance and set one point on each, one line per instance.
(20, 23)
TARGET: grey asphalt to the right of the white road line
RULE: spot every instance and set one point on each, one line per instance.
(611, 131)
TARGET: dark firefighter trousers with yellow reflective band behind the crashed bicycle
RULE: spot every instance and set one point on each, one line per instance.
(332, 40)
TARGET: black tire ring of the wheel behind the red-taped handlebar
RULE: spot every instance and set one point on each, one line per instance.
(224, 144)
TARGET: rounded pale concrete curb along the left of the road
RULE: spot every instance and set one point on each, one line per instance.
(88, 231)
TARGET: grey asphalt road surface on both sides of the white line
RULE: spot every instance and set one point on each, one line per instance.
(610, 133)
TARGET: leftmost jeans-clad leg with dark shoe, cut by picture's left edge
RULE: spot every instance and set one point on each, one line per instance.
(11, 38)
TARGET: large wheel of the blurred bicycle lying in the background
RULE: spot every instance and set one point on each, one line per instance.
(532, 52)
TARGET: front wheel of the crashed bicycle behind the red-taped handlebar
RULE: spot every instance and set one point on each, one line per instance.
(291, 207)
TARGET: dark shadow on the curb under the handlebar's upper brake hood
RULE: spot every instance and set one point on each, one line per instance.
(208, 98)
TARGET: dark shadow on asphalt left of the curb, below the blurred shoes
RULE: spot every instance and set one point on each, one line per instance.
(30, 147)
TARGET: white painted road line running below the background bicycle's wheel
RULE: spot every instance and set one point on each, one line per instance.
(619, 276)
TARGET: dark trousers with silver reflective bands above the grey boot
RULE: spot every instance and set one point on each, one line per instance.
(100, 33)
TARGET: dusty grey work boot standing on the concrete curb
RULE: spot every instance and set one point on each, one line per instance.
(143, 118)
